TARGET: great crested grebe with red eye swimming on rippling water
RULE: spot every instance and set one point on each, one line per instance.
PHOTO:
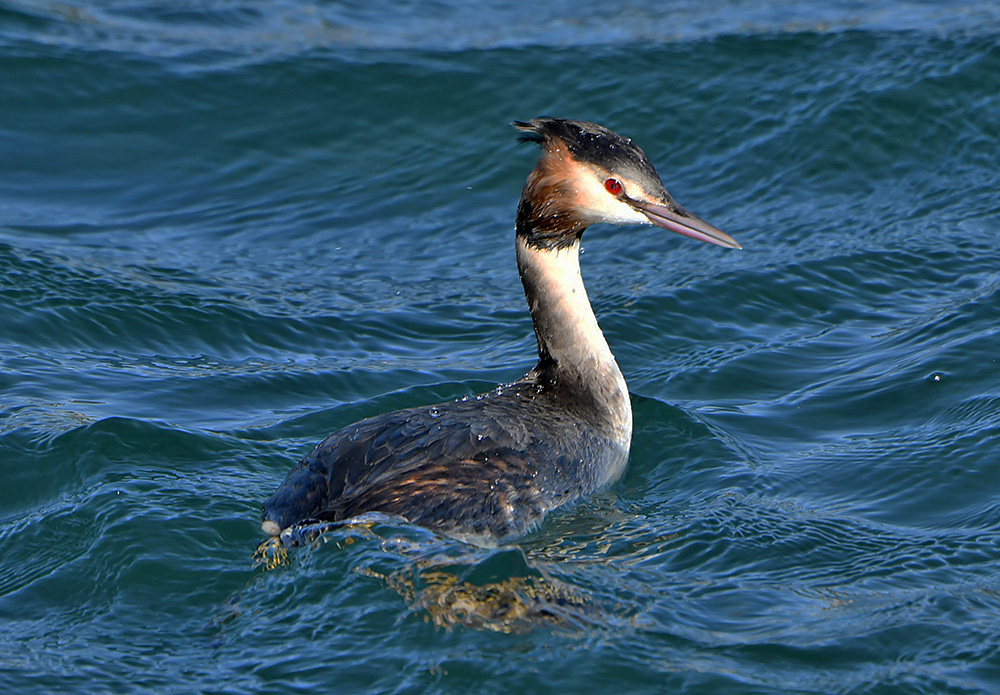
(489, 468)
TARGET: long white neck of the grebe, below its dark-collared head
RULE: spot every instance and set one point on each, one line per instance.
(572, 349)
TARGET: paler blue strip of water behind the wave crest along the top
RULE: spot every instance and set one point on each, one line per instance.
(210, 35)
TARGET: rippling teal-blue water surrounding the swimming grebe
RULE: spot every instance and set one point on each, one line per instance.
(229, 228)
